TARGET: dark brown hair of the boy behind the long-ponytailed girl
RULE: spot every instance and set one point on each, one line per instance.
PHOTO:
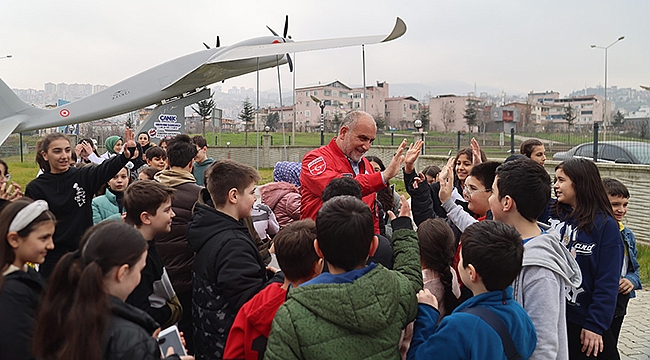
(144, 195)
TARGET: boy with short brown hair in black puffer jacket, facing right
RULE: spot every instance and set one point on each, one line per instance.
(228, 269)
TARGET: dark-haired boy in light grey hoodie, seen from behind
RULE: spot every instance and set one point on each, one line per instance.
(521, 191)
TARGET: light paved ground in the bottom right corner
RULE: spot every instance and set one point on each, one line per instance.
(634, 340)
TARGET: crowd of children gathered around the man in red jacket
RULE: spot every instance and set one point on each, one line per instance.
(497, 268)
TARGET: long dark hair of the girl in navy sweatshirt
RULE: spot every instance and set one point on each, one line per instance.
(591, 196)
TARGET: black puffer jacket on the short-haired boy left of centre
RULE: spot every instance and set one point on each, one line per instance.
(227, 272)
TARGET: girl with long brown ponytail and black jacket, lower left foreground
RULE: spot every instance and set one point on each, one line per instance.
(84, 315)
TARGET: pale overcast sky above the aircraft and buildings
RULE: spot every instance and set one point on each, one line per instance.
(516, 46)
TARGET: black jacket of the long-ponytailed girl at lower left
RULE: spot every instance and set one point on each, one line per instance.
(129, 334)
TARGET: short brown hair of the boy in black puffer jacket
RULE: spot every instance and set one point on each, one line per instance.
(224, 175)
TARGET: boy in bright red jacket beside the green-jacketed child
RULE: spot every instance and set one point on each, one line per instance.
(294, 248)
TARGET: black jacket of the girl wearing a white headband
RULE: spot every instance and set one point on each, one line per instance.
(19, 299)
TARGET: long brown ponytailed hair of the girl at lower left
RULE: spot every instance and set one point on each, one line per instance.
(76, 310)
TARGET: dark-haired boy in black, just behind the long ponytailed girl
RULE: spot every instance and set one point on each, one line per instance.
(148, 207)
